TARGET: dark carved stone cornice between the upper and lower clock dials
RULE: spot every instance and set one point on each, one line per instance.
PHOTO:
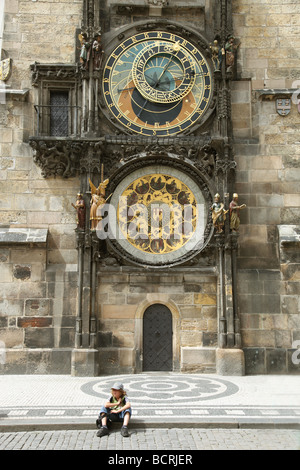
(69, 157)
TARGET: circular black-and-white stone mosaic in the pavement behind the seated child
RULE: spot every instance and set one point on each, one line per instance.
(163, 389)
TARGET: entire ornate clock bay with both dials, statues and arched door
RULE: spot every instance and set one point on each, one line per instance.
(142, 119)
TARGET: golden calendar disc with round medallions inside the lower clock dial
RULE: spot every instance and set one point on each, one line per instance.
(144, 220)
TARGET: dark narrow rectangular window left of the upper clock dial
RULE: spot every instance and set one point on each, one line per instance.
(59, 113)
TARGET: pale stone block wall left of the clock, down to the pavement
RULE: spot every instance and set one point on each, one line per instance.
(38, 284)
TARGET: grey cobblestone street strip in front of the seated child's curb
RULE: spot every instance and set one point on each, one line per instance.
(165, 439)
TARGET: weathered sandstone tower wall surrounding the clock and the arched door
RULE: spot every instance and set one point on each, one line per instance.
(39, 276)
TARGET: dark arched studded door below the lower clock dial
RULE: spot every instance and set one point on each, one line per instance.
(157, 339)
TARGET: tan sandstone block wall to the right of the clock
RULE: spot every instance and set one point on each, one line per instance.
(267, 154)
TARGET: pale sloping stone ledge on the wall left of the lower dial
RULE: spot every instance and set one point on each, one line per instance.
(22, 236)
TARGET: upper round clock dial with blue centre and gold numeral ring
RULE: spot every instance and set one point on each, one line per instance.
(157, 84)
